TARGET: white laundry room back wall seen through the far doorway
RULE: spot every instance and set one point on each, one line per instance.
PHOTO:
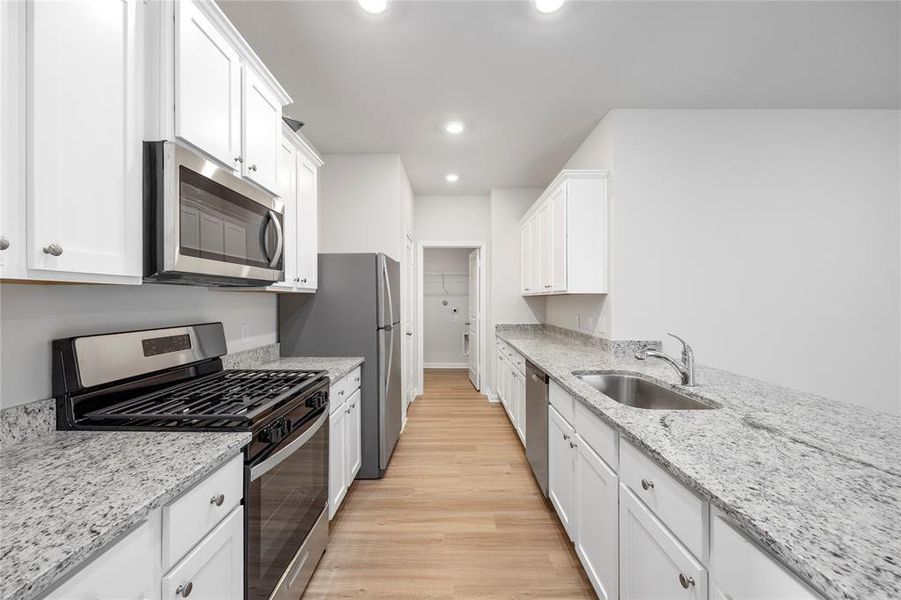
(442, 327)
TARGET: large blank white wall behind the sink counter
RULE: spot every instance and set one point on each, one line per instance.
(770, 239)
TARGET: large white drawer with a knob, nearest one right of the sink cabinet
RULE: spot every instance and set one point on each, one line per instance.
(680, 510)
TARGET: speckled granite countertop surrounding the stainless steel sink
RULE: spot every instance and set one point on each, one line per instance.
(815, 481)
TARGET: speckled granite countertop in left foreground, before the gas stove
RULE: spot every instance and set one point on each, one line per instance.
(68, 494)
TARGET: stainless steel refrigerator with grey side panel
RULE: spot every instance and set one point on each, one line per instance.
(355, 312)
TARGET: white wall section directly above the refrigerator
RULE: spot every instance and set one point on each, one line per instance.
(363, 204)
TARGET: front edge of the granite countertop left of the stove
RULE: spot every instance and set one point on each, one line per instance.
(55, 573)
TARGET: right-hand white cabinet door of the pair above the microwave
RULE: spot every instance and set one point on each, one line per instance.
(261, 131)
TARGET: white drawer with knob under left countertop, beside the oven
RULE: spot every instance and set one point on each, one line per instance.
(189, 518)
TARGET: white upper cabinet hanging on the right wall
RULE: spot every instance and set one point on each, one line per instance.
(567, 246)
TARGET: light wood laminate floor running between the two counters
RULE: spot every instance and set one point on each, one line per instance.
(458, 514)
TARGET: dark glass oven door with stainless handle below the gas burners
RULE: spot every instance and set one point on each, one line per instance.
(287, 494)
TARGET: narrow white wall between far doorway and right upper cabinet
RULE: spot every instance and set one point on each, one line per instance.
(504, 286)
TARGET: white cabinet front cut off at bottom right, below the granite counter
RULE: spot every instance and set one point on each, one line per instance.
(738, 569)
